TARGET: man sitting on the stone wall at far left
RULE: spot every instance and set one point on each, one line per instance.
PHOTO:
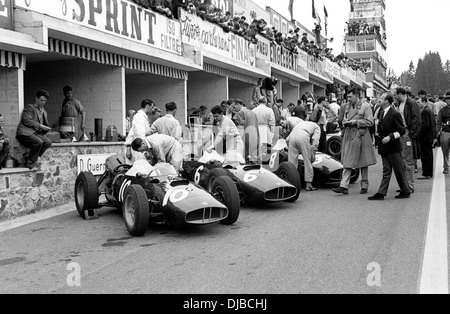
(33, 127)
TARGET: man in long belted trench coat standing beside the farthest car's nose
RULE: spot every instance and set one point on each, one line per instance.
(357, 148)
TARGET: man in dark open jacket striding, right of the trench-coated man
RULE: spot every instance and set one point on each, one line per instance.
(391, 129)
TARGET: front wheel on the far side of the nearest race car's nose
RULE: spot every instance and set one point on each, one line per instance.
(225, 190)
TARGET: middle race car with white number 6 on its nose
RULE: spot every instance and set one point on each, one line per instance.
(255, 184)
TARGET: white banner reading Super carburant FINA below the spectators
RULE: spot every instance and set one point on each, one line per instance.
(211, 38)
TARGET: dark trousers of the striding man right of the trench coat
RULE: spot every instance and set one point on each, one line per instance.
(393, 162)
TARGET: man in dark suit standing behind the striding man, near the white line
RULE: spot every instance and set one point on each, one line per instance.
(426, 138)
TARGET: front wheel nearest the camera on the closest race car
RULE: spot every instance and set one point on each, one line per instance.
(136, 210)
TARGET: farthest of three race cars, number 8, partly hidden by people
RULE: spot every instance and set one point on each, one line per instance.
(327, 169)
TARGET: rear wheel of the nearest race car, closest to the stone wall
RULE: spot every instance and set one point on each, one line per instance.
(86, 193)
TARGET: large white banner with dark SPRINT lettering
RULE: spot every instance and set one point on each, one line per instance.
(122, 18)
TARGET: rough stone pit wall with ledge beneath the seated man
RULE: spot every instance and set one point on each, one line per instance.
(24, 192)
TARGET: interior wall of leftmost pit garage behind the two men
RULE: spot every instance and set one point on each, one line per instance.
(98, 87)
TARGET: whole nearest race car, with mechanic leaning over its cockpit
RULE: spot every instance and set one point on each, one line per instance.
(156, 194)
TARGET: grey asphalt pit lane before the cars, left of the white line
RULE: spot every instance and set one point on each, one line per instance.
(321, 244)
